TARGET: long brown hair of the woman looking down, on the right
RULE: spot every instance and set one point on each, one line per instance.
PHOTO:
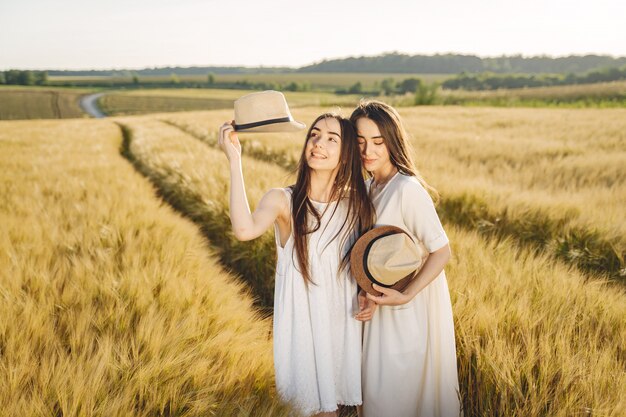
(395, 138)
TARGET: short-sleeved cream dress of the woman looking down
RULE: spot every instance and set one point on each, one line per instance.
(409, 353)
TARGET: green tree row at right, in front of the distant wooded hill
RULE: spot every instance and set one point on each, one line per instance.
(490, 81)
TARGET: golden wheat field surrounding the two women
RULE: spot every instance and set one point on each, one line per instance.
(535, 336)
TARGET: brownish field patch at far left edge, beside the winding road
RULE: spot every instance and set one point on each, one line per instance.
(40, 103)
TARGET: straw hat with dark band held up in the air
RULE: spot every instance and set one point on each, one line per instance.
(266, 111)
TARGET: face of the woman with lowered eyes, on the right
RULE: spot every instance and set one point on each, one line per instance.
(374, 152)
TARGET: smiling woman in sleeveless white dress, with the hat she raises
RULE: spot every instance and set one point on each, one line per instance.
(317, 341)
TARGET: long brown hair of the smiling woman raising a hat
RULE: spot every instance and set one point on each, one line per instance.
(349, 183)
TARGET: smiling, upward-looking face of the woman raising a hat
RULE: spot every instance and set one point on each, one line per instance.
(323, 147)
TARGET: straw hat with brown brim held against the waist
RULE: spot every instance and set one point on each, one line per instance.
(387, 256)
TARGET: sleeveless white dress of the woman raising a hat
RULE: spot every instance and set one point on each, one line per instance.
(317, 340)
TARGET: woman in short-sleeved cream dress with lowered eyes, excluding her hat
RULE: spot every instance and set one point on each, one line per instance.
(409, 355)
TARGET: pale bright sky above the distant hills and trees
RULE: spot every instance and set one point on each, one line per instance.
(133, 34)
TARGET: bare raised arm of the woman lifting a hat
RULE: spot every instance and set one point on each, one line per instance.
(273, 205)
